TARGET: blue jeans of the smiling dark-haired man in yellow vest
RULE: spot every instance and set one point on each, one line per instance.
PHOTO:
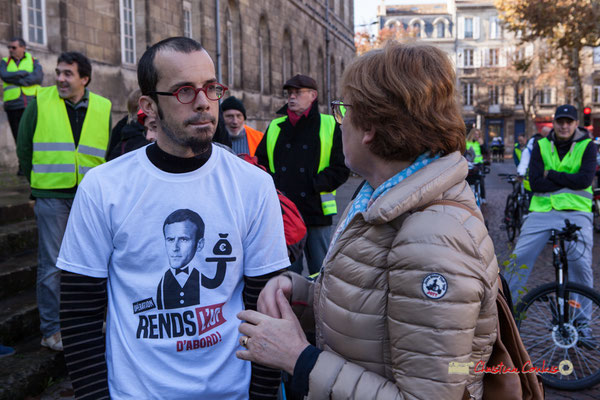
(52, 216)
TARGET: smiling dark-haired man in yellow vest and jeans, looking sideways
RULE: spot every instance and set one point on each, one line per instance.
(64, 133)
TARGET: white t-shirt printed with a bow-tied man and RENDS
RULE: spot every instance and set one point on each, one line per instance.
(115, 230)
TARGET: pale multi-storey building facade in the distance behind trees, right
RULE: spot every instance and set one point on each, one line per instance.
(494, 96)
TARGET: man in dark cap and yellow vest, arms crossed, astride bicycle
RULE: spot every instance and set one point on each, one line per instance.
(561, 171)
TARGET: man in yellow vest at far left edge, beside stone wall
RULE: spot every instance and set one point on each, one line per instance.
(22, 75)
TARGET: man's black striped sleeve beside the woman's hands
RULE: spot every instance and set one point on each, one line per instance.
(264, 384)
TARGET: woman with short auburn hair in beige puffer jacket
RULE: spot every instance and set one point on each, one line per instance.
(404, 307)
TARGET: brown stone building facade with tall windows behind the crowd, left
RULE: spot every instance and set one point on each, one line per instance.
(256, 44)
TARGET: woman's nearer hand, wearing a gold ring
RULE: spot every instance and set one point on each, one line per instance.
(275, 343)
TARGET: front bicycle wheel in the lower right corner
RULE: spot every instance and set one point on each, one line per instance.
(575, 350)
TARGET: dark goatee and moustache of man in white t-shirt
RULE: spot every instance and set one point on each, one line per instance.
(201, 140)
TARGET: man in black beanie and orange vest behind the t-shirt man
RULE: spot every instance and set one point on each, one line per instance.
(244, 139)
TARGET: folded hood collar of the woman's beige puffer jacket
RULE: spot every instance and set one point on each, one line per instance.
(419, 189)
